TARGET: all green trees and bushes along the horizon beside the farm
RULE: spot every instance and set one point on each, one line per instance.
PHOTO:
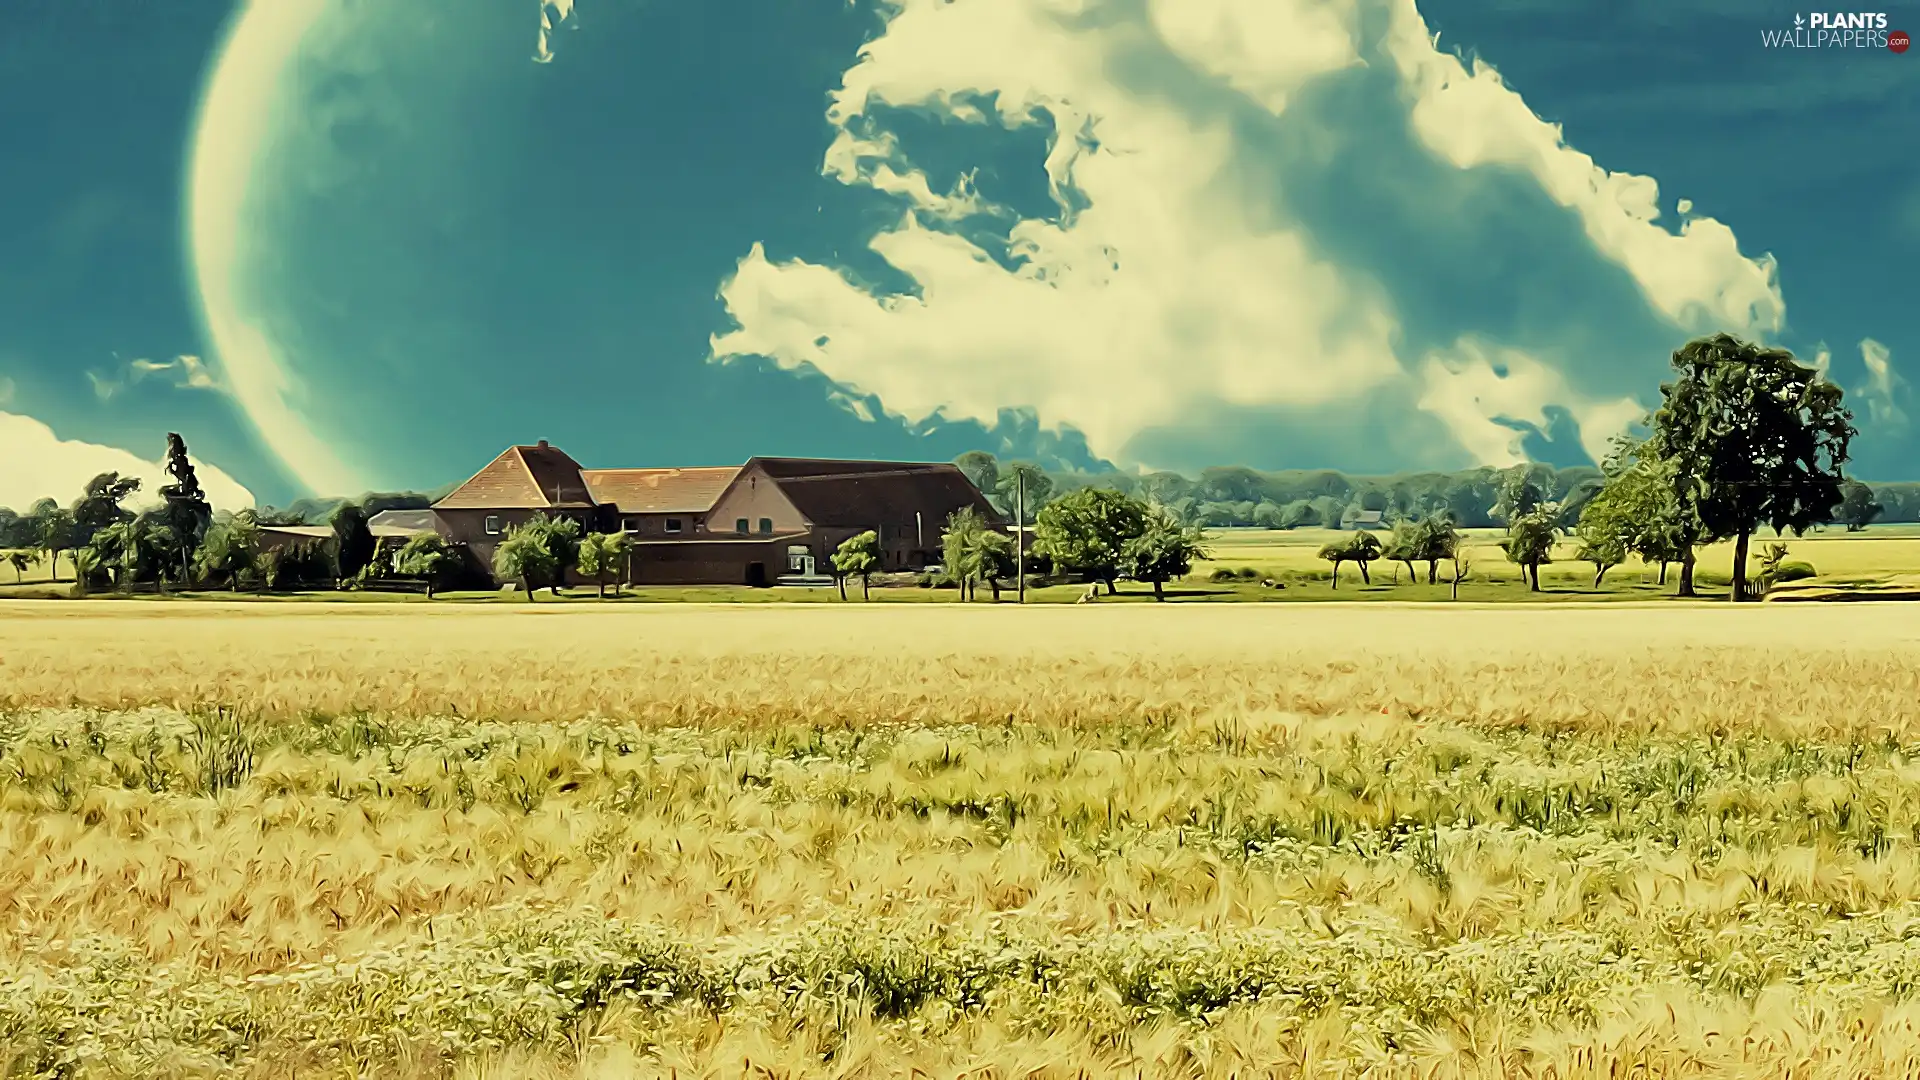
(1746, 437)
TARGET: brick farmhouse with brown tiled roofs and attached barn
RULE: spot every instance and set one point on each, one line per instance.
(756, 524)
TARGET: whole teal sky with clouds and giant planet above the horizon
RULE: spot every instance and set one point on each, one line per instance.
(350, 247)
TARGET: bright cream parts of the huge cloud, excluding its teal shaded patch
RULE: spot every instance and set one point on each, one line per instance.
(1168, 280)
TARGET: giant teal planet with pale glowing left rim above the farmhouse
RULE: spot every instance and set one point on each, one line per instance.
(416, 245)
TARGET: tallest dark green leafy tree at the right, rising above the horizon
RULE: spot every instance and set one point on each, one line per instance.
(1754, 439)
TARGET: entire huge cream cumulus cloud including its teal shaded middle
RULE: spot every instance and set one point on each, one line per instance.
(1272, 220)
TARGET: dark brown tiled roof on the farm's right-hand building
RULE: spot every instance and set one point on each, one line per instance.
(861, 495)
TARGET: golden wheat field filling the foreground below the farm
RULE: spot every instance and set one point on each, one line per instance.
(926, 841)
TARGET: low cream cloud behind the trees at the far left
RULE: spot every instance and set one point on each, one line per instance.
(45, 466)
